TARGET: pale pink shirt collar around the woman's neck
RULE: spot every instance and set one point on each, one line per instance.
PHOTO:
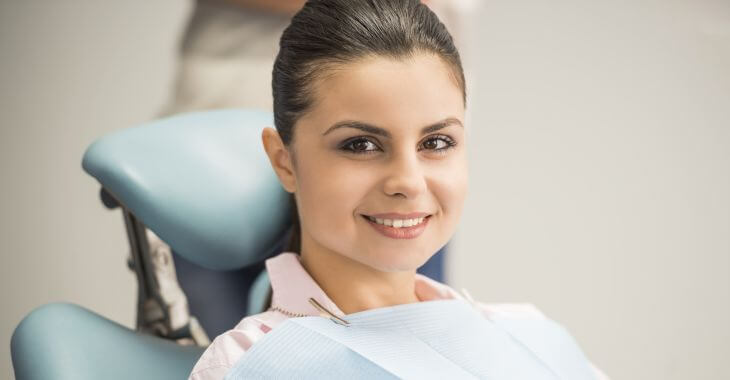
(292, 287)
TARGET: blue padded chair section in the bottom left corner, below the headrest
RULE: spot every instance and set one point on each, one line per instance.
(64, 341)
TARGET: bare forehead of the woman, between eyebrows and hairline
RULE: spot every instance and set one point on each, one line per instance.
(396, 94)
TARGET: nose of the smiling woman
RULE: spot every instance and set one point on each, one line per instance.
(404, 176)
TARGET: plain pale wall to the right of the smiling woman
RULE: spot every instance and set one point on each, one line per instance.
(601, 178)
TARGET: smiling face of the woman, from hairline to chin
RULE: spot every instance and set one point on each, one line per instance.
(383, 137)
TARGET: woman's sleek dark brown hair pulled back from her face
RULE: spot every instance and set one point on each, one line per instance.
(325, 34)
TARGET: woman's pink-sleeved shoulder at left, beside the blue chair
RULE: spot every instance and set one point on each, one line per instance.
(227, 348)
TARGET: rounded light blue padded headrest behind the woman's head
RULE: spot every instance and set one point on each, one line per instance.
(201, 181)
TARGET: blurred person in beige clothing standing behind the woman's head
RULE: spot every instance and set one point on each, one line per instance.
(228, 49)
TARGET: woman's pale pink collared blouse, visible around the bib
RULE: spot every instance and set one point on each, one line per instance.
(291, 288)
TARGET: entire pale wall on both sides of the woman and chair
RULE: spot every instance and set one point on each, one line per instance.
(600, 179)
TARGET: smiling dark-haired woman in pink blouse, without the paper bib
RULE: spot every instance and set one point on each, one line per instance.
(369, 102)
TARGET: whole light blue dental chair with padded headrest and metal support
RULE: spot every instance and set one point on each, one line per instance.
(202, 209)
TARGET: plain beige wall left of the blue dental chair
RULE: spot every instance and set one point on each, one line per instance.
(70, 72)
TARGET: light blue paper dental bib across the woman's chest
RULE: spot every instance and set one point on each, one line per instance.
(443, 339)
